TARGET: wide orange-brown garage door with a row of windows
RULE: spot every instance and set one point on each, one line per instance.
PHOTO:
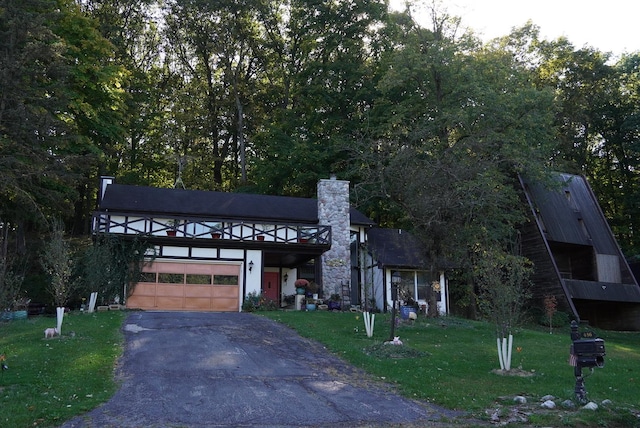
(187, 287)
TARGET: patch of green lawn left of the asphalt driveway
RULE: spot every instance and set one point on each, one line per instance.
(52, 380)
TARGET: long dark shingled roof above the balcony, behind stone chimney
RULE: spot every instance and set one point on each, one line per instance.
(122, 198)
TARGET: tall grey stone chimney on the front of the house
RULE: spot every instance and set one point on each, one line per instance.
(333, 210)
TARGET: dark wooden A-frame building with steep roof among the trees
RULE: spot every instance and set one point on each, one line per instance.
(576, 256)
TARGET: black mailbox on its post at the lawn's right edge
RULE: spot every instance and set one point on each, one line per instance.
(587, 351)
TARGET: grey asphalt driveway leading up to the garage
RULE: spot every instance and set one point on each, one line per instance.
(186, 369)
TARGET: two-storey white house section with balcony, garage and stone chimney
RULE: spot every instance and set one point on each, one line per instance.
(214, 248)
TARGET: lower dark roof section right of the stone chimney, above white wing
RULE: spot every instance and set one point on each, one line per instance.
(395, 248)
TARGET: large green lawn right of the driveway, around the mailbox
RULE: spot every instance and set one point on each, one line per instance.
(457, 358)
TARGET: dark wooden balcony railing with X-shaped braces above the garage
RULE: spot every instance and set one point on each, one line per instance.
(198, 228)
